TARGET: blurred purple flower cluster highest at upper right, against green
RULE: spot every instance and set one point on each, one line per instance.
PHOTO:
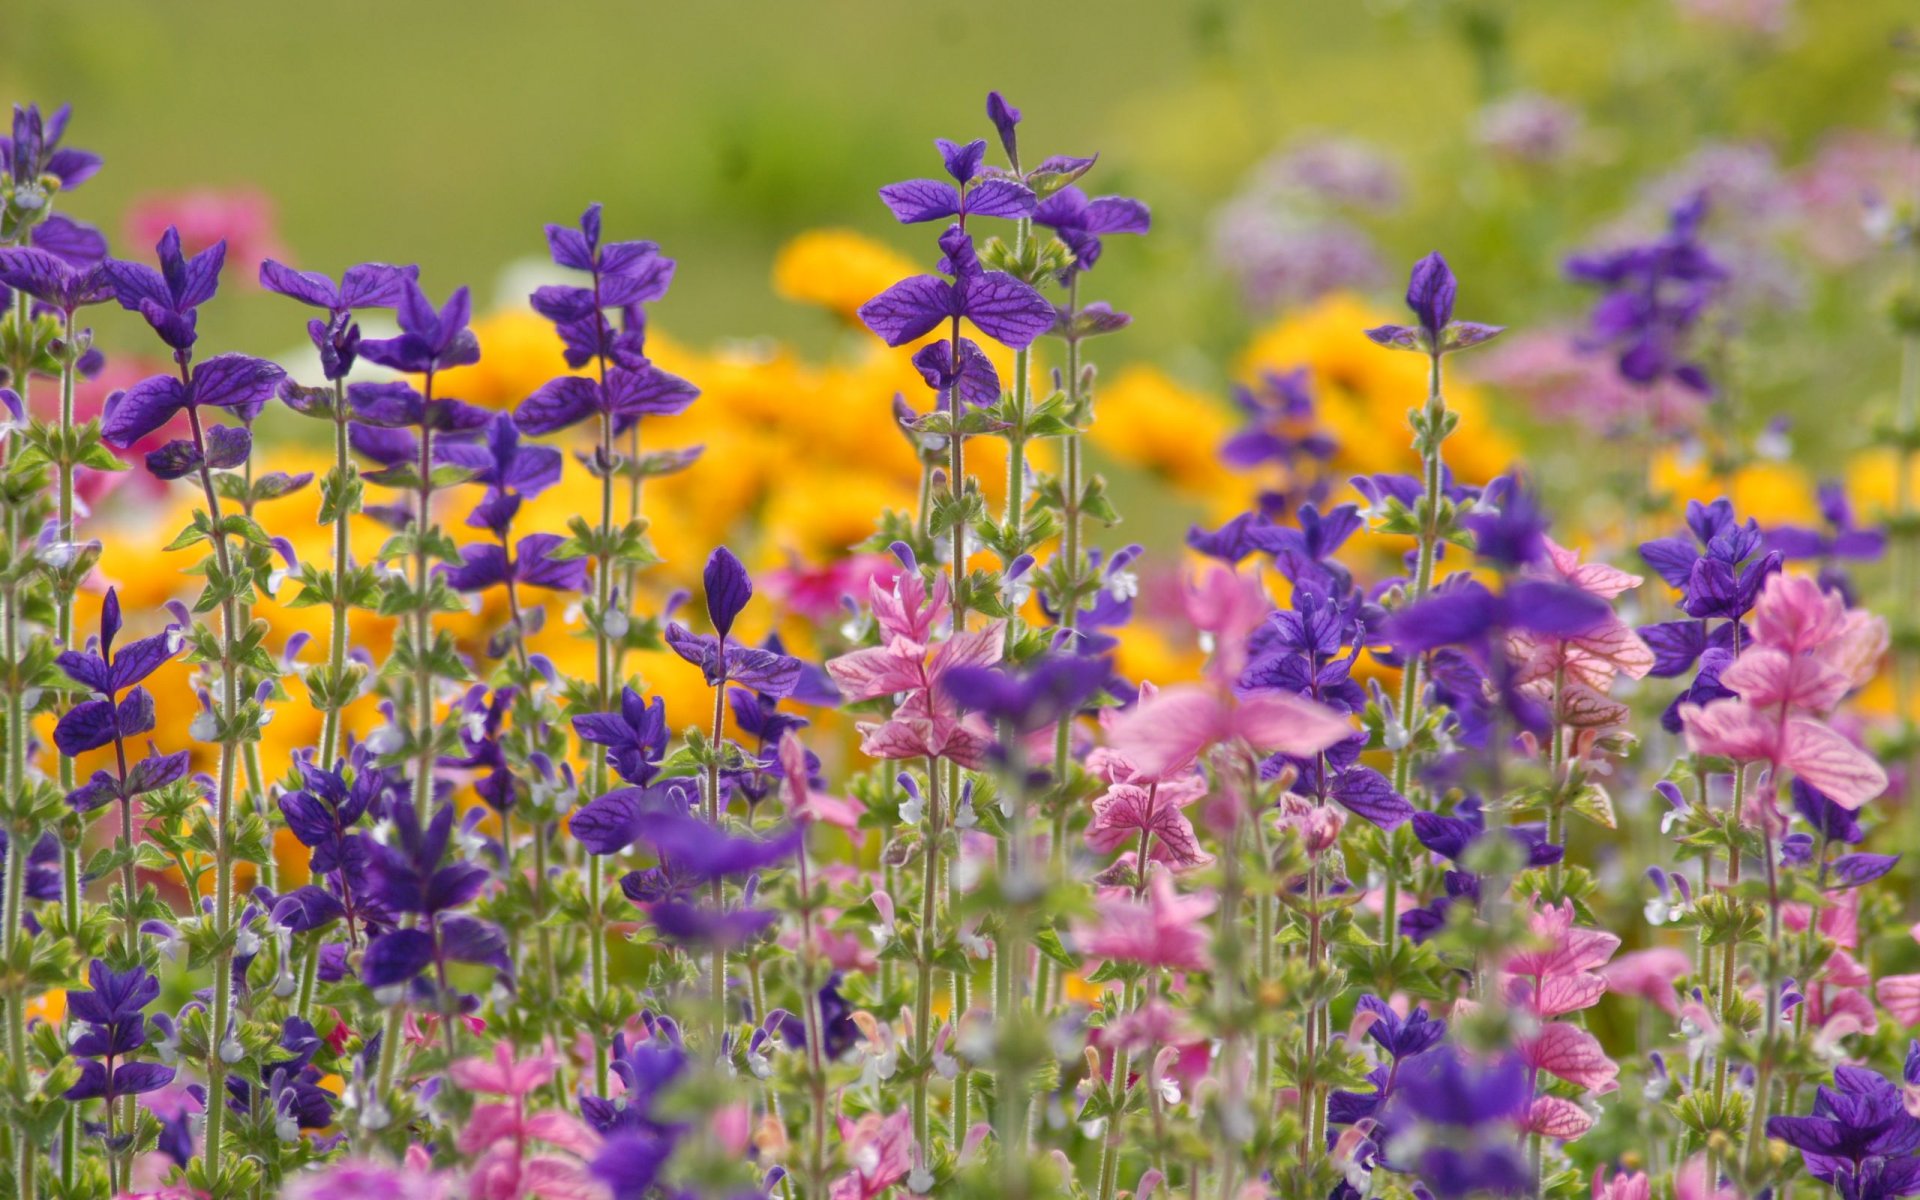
(1654, 297)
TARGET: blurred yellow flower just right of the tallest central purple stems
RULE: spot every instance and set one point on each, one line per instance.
(1151, 421)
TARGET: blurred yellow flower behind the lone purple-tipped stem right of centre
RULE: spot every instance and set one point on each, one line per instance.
(1364, 393)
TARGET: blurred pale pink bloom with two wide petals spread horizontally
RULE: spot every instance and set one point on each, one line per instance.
(1166, 732)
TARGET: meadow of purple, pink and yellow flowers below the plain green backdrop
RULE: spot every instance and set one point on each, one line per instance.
(464, 744)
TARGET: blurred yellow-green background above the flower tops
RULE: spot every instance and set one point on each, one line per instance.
(448, 133)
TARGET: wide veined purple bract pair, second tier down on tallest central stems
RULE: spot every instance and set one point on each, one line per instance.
(999, 306)
